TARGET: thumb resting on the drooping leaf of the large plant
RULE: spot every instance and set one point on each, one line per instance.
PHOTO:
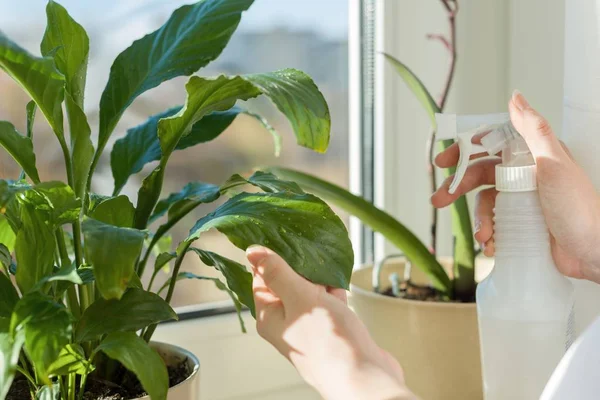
(278, 276)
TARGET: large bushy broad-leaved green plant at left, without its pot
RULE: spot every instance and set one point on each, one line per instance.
(72, 302)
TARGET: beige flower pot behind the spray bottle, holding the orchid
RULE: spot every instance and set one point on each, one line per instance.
(437, 344)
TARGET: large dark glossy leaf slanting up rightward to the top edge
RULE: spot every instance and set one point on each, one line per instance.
(193, 36)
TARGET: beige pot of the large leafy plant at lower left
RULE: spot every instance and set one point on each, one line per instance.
(188, 389)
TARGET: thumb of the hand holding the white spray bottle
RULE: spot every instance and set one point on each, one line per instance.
(535, 129)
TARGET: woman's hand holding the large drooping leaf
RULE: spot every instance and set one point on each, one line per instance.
(313, 328)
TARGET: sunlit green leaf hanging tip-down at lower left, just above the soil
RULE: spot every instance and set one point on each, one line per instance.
(47, 327)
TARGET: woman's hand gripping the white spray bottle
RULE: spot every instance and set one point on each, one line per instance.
(569, 201)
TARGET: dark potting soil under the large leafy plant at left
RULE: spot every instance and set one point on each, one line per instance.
(96, 389)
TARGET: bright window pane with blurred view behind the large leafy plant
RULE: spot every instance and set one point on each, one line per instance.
(274, 34)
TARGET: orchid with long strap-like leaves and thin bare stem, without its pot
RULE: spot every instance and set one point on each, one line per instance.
(462, 285)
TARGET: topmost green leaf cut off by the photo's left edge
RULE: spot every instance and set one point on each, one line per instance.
(39, 78)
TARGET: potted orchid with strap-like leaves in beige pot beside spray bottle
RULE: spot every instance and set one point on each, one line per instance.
(426, 315)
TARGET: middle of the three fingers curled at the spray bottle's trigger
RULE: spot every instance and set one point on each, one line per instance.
(479, 173)
